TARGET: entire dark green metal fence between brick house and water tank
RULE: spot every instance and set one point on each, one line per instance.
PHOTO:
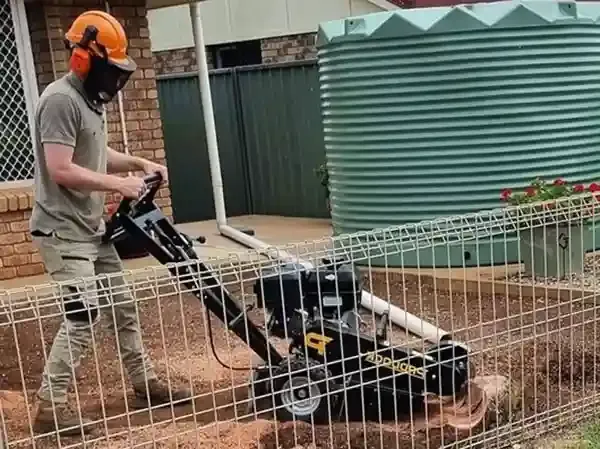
(270, 135)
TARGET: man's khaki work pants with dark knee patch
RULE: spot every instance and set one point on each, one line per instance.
(74, 262)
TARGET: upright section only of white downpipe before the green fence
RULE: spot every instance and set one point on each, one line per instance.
(209, 116)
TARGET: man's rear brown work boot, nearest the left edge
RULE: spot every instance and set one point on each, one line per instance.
(67, 421)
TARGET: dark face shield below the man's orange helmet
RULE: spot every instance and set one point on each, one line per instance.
(104, 80)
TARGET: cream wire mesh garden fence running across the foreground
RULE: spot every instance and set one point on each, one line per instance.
(357, 354)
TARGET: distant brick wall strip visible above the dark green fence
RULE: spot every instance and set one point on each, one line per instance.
(278, 49)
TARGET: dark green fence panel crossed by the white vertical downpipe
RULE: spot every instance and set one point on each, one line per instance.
(187, 152)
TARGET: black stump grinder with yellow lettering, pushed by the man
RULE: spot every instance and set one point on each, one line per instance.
(333, 370)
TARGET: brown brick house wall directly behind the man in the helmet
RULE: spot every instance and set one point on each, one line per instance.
(48, 21)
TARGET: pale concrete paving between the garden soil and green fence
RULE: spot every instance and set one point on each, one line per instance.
(273, 230)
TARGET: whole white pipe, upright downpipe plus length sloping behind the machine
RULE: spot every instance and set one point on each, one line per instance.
(399, 317)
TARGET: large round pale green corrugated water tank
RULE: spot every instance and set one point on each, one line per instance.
(431, 112)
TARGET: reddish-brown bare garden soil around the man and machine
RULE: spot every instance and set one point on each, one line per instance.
(545, 347)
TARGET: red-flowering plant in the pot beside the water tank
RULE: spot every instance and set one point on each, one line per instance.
(542, 191)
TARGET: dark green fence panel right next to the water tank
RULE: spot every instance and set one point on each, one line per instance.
(283, 134)
